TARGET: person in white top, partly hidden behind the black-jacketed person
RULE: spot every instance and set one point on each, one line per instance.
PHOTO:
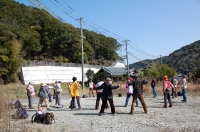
(99, 94)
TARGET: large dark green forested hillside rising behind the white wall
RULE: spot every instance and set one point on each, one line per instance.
(42, 37)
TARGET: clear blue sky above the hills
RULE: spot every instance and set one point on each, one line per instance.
(154, 28)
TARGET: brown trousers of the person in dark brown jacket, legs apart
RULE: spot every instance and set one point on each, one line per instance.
(141, 98)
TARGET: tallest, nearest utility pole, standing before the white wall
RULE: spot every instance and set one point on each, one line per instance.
(82, 52)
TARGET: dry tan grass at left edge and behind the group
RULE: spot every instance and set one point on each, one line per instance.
(11, 92)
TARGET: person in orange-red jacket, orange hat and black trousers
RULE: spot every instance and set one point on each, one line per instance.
(166, 91)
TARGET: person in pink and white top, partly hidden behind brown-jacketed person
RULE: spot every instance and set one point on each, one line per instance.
(129, 87)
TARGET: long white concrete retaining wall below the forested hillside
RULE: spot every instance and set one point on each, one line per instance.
(49, 74)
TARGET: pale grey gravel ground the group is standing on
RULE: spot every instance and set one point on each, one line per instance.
(181, 117)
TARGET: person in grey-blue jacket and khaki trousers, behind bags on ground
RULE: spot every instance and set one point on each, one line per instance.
(43, 96)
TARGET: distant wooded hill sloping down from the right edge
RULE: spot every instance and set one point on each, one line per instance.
(183, 59)
